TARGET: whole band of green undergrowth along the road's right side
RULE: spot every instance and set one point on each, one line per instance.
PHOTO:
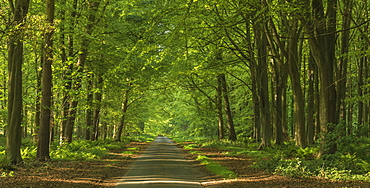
(350, 163)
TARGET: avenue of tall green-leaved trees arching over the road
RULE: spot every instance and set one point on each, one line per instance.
(264, 70)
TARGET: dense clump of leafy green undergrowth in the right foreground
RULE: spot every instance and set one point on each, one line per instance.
(350, 163)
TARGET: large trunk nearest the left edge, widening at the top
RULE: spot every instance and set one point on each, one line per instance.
(15, 62)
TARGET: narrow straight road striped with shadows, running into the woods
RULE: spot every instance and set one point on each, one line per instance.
(161, 165)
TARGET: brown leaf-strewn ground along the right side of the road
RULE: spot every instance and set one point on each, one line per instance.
(252, 177)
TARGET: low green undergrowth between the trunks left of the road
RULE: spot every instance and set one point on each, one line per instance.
(74, 151)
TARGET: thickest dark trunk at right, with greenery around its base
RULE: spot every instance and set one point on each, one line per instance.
(322, 42)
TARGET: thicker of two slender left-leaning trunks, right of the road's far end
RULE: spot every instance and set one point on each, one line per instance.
(229, 118)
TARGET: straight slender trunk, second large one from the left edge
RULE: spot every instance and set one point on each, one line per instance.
(46, 87)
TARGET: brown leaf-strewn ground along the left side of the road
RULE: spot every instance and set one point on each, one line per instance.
(77, 174)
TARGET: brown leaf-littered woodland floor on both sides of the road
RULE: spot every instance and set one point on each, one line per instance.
(106, 172)
